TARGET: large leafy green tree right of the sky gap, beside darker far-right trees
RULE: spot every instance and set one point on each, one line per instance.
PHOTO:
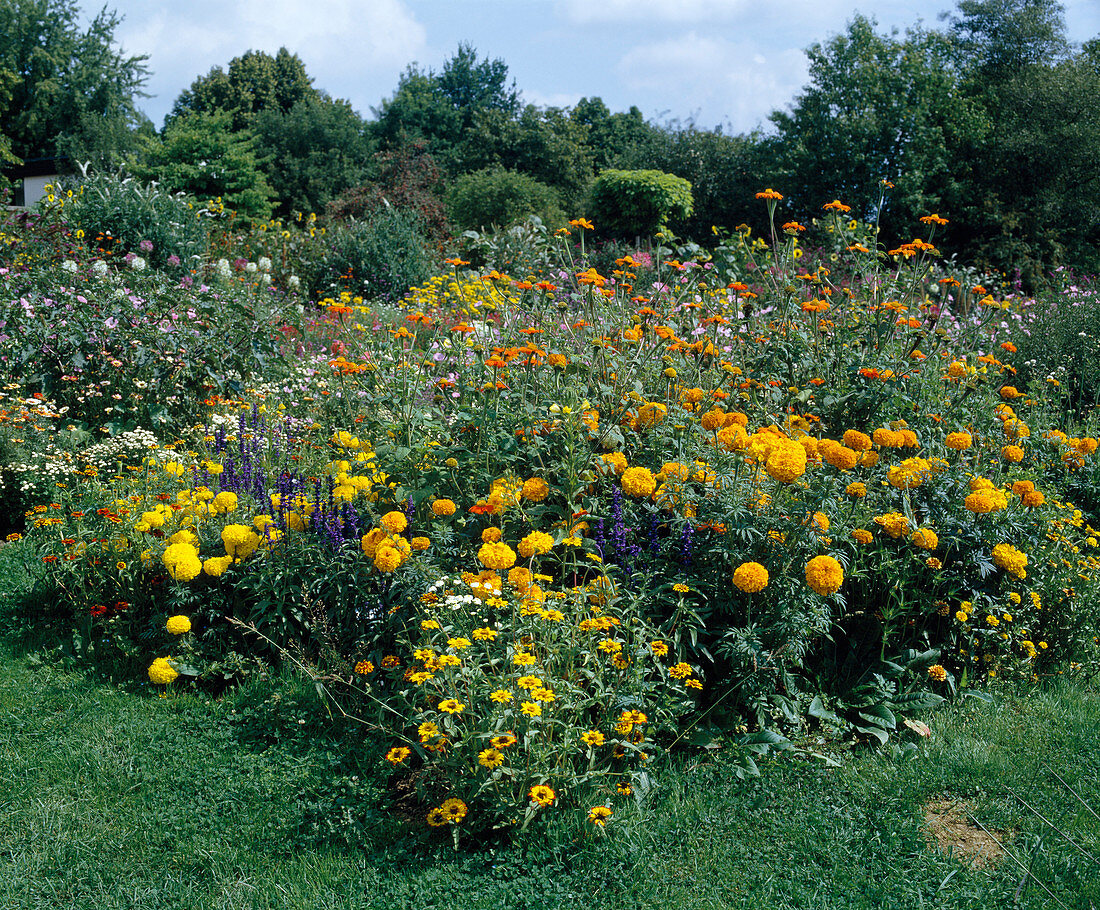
(877, 108)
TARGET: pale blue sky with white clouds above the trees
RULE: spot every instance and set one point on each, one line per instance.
(720, 62)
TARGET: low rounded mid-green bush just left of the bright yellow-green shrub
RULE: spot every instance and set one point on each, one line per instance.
(496, 198)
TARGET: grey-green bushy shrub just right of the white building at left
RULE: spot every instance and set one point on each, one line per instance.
(130, 212)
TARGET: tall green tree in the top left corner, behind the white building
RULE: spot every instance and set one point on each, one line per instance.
(69, 91)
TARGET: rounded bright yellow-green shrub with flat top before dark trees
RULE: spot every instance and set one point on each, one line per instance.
(640, 203)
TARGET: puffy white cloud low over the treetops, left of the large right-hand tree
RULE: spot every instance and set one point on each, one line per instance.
(720, 82)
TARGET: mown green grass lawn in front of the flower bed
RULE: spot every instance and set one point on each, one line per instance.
(114, 798)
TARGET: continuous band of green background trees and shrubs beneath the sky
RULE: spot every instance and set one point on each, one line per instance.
(989, 120)
